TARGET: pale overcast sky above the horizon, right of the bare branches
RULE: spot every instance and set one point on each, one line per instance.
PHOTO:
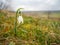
(36, 5)
